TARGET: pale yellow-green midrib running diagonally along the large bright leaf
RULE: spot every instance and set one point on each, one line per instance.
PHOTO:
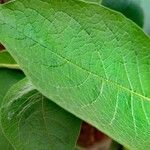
(84, 69)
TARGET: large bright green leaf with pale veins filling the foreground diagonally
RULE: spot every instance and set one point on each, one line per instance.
(88, 59)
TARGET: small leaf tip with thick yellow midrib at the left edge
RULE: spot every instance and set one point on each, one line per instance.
(6, 61)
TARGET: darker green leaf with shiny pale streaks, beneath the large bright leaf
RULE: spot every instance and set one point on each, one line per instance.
(32, 122)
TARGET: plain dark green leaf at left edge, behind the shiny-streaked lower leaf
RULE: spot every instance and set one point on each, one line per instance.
(7, 79)
